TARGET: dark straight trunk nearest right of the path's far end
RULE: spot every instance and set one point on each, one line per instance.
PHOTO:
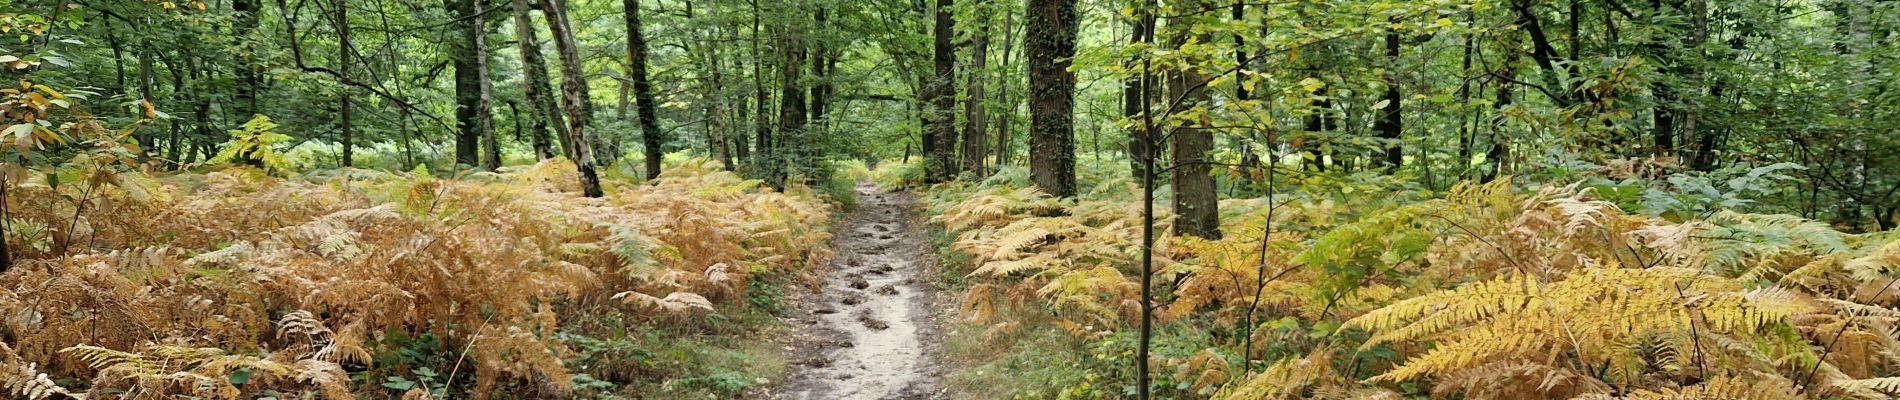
(941, 160)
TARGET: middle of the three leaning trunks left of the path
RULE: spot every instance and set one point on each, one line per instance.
(575, 96)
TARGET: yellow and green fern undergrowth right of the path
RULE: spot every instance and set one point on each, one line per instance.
(1380, 289)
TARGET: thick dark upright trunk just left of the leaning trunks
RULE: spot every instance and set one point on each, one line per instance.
(472, 73)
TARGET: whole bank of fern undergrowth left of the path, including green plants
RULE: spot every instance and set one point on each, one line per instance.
(345, 283)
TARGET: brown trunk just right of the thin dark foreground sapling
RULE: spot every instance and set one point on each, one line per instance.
(1196, 200)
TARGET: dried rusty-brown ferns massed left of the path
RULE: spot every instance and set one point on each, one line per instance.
(244, 270)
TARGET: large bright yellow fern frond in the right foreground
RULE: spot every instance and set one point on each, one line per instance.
(1593, 316)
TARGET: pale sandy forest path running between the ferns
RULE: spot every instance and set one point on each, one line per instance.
(875, 331)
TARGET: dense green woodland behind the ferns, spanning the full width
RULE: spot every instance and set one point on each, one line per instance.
(1435, 92)
